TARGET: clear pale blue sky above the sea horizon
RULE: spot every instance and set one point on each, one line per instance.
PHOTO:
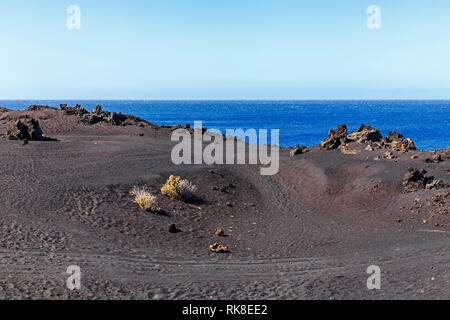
(215, 49)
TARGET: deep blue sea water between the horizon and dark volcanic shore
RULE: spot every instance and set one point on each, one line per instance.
(427, 122)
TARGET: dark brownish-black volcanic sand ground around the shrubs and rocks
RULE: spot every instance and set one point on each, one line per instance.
(309, 232)
